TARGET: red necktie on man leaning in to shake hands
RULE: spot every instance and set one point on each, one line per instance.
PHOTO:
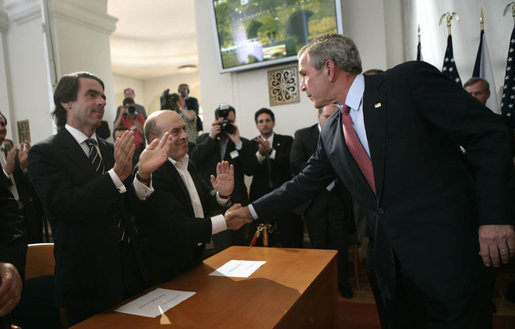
(356, 149)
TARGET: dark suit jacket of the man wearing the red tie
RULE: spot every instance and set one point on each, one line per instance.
(426, 202)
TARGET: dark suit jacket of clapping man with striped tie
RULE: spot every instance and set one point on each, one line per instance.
(84, 209)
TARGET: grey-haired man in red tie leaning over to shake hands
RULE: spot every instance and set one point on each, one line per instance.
(434, 224)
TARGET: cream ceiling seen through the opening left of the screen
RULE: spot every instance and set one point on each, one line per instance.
(152, 38)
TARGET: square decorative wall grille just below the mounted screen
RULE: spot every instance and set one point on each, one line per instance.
(283, 86)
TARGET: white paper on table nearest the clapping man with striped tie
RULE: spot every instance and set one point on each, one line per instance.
(155, 302)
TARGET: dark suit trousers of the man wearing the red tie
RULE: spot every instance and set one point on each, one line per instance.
(410, 309)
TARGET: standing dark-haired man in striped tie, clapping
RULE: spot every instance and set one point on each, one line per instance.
(83, 183)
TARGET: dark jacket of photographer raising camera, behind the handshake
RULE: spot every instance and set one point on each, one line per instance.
(206, 156)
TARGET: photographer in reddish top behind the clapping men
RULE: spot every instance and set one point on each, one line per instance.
(134, 121)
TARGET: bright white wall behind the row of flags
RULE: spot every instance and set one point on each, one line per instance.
(465, 33)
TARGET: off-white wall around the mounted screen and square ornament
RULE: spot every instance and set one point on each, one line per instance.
(247, 90)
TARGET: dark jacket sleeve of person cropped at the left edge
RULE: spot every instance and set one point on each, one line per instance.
(13, 244)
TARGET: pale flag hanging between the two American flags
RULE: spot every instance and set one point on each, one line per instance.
(483, 70)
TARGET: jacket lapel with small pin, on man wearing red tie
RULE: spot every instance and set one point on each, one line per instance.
(374, 111)
